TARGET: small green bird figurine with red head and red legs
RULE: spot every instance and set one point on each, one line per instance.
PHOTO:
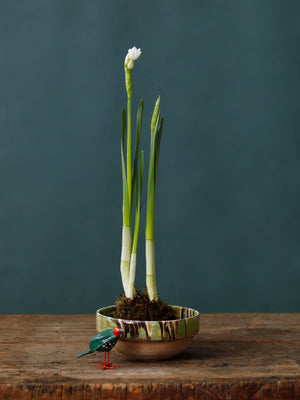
(104, 342)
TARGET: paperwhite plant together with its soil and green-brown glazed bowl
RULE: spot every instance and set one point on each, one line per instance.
(152, 328)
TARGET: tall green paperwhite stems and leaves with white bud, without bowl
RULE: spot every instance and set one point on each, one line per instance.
(132, 177)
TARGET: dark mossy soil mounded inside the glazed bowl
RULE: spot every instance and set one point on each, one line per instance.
(142, 309)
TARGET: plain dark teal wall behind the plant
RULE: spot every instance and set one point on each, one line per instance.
(227, 220)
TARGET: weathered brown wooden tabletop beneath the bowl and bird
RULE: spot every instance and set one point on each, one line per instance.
(235, 356)
